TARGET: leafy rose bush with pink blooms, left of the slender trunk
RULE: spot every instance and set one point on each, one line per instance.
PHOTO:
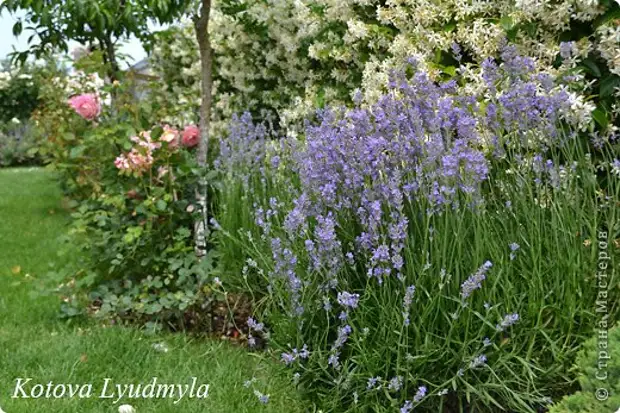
(131, 226)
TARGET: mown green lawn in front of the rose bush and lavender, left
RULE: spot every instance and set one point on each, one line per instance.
(35, 343)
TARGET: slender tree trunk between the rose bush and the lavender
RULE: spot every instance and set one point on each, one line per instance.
(201, 24)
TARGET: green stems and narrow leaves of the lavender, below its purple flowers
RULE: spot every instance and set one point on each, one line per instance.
(545, 285)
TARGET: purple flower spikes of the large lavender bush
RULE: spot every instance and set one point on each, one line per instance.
(420, 143)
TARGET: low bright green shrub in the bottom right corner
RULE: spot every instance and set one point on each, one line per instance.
(598, 365)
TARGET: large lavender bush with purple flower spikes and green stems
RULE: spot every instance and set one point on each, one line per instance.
(426, 252)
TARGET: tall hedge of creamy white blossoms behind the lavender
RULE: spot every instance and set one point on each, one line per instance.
(295, 55)
